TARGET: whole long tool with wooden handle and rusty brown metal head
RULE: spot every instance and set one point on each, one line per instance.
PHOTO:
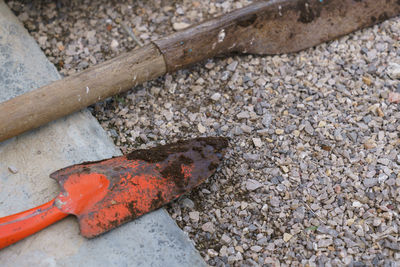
(264, 27)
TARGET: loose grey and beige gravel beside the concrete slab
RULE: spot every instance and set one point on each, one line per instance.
(312, 175)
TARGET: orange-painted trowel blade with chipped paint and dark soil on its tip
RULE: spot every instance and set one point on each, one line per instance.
(106, 194)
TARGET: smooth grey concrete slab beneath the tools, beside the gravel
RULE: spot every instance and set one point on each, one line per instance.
(152, 240)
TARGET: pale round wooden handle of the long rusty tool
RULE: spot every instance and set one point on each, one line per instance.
(63, 97)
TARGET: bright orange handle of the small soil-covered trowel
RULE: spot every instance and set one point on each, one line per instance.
(18, 226)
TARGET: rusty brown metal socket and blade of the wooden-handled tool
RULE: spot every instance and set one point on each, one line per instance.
(273, 27)
